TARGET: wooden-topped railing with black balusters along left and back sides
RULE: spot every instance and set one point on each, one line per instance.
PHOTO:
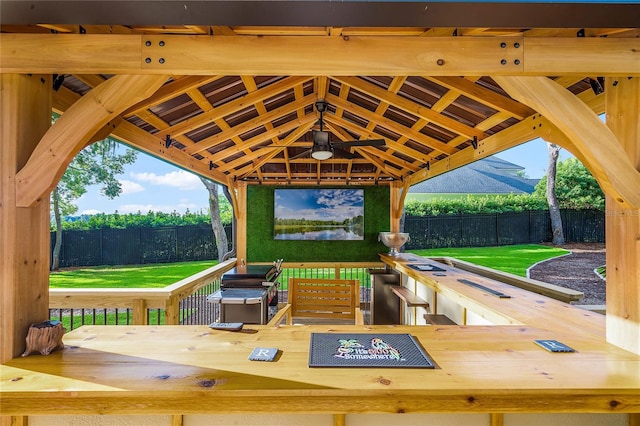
(183, 302)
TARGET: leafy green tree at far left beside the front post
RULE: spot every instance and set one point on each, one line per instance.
(97, 164)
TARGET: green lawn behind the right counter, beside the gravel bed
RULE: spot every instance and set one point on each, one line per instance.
(513, 259)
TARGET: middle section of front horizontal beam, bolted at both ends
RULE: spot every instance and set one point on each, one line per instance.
(349, 55)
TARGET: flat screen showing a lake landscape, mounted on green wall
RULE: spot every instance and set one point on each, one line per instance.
(319, 214)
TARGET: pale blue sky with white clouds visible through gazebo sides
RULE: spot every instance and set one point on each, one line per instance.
(154, 185)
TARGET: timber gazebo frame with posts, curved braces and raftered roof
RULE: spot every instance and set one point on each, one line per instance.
(313, 93)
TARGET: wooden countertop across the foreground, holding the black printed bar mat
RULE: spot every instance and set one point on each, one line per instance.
(194, 369)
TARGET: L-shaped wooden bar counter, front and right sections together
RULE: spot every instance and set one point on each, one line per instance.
(480, 370)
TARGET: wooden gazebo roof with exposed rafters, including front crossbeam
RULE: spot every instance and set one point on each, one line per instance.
(428, 91)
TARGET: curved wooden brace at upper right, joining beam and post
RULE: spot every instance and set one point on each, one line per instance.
(609, 163)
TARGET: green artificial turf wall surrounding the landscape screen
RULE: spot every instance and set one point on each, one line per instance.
(262, 247)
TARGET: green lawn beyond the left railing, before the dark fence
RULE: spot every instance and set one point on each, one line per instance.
(139, 276)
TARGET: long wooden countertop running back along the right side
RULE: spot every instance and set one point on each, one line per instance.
(523, 307)
